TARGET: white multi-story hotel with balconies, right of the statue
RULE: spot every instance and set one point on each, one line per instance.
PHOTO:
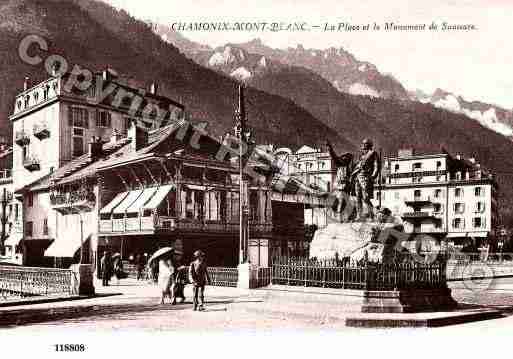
(441, 195)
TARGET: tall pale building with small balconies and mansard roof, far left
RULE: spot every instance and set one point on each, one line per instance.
(53, 124)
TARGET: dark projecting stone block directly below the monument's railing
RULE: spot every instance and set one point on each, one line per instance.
(407, 301)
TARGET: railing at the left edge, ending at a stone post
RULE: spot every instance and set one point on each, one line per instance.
(21, 282)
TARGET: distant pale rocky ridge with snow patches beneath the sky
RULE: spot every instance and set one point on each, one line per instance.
(245, 61)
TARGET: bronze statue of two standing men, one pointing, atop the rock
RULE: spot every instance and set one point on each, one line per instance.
(357, 180)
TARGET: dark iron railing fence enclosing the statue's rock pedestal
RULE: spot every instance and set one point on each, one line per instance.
(368, 276)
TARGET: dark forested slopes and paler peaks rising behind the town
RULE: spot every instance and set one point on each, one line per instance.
(288, 103)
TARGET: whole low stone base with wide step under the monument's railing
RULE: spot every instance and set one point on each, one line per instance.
(368, 309)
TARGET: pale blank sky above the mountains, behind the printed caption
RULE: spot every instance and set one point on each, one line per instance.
(474, 64)
